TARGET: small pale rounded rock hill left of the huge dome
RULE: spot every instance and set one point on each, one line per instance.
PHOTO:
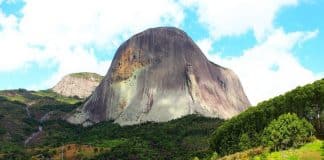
(78, 84)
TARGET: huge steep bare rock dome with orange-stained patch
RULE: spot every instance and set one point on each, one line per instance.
(159, 75)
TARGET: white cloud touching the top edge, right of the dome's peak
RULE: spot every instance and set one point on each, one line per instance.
(236, 17)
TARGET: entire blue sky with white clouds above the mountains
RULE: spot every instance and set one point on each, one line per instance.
(272, 45)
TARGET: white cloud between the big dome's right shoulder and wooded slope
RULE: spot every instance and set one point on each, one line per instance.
(270, 68)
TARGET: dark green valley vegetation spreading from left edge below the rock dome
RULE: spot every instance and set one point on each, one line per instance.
(178, 139)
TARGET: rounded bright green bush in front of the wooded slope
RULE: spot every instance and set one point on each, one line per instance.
(287, 131)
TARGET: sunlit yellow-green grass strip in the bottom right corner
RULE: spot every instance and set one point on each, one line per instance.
(310, 151)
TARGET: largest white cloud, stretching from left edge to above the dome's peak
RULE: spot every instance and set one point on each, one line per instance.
(65, 32)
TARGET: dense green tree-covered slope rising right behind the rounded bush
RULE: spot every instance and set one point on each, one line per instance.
(247, 128)
